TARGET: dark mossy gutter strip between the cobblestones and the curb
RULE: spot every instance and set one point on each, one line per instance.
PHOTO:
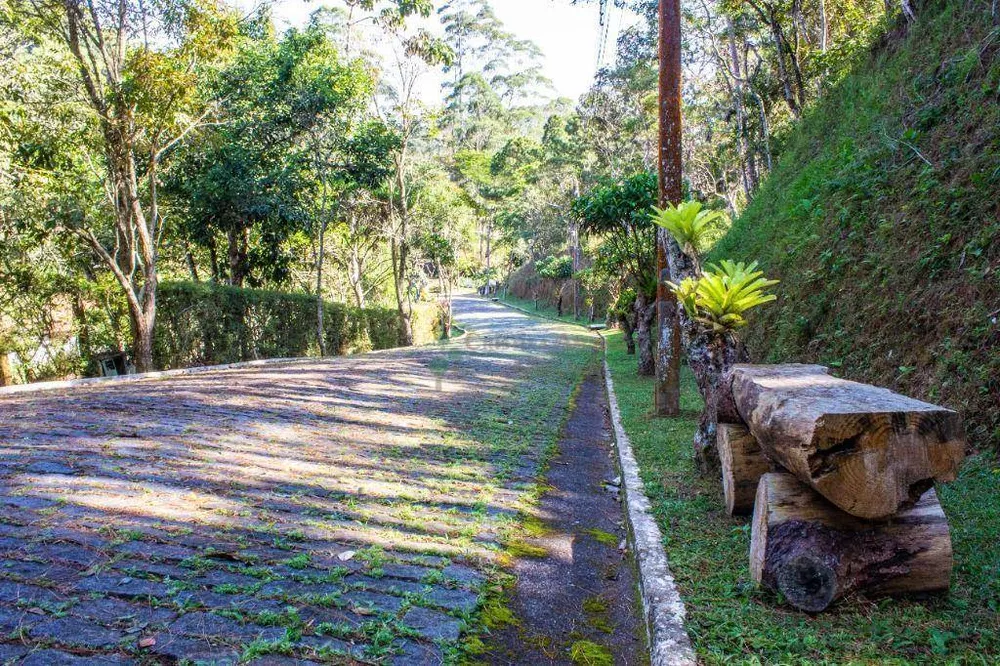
(582, 593)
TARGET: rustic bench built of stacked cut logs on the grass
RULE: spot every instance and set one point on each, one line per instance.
(845, 498)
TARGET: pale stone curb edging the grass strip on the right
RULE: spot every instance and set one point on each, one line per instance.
(663, 608)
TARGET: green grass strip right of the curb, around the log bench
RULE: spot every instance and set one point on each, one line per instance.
(730, 621)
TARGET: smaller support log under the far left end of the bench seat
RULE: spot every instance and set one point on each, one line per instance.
(743, 463)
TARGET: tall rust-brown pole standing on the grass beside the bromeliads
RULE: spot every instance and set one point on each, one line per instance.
(668, 347)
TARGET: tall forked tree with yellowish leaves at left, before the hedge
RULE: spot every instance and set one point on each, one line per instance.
(136, 65)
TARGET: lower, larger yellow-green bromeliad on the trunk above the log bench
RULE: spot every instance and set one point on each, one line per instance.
(722, 294)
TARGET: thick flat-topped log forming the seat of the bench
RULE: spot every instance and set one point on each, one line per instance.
(868, 450)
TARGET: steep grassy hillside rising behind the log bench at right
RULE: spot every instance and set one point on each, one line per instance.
(882, 220)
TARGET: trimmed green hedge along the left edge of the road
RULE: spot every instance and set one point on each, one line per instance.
(199, 323)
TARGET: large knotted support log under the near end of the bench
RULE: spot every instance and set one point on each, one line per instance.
(813, 553)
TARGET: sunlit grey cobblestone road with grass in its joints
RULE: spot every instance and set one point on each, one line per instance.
(333, 511)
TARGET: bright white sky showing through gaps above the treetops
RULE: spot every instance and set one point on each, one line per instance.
(568, 35)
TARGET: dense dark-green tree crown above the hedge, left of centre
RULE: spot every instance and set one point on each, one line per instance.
(242, 185)
